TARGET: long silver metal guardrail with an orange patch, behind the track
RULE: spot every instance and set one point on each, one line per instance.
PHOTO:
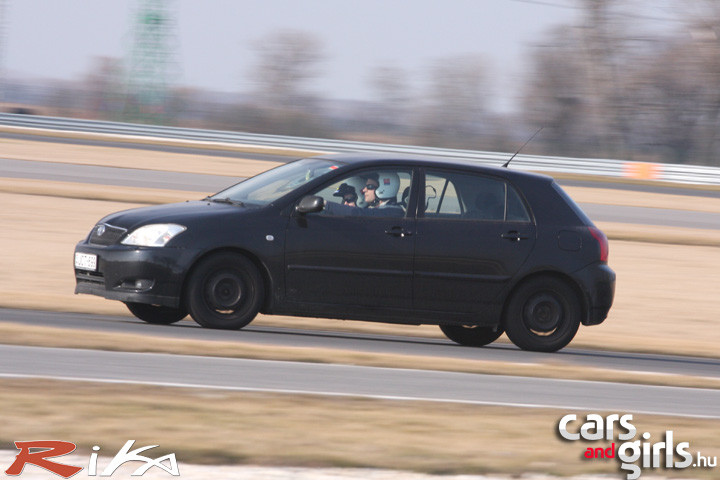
(689, 174)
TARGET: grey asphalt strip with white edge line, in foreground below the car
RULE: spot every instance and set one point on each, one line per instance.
(347, 380)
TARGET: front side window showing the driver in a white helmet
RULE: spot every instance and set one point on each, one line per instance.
(381, 192)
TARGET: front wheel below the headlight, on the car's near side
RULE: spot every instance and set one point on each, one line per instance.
(225, 291)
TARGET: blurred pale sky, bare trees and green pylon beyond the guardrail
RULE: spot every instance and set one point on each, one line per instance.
(631, 79)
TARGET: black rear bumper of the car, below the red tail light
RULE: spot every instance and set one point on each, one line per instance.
(598, 283)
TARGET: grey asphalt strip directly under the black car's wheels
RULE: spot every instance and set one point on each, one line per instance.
(372, 343)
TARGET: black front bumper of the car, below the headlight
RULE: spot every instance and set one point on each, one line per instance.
(135, 274)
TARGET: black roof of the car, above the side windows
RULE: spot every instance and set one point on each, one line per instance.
(371, 159)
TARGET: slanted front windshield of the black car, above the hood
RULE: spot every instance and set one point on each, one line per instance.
(267, 187)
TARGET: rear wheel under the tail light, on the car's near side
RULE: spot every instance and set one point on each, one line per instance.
(543, 315)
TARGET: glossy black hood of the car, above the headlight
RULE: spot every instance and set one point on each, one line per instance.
(186, 213)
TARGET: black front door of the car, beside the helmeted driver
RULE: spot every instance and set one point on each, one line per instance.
(352, 256)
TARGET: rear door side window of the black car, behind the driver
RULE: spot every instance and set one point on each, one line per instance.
(452, 195)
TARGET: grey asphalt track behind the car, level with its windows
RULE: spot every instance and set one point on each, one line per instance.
(212, 183)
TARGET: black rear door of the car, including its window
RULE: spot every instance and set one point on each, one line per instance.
(472, 238)
